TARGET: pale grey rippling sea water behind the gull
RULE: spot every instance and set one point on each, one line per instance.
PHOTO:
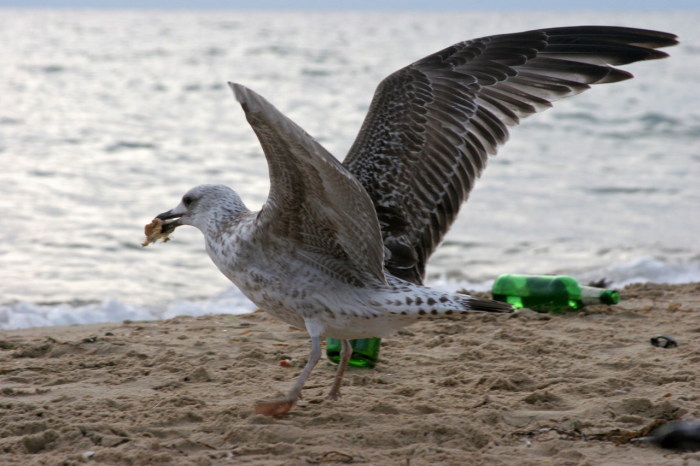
(108, 117)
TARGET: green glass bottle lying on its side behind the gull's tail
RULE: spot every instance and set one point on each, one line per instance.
(548, 293)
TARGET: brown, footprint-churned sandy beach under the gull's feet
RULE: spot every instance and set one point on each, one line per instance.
(524, 389)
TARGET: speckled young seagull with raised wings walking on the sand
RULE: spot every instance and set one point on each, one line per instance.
(340, 249)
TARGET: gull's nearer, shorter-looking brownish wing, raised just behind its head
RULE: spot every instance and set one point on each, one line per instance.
(314, 202)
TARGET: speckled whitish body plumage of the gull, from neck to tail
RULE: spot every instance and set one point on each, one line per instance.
(288, 283)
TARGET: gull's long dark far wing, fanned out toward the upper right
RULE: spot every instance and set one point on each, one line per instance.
(432, 124)
